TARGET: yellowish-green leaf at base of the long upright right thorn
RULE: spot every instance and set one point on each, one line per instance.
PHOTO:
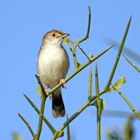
(118, 84)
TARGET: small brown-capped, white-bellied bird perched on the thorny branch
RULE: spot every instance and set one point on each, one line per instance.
(52, 67)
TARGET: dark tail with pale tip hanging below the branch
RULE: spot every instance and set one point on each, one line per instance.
(58, 108)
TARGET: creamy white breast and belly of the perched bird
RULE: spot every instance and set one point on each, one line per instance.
(53, 65)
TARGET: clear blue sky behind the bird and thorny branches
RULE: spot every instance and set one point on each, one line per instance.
(22, 25)
